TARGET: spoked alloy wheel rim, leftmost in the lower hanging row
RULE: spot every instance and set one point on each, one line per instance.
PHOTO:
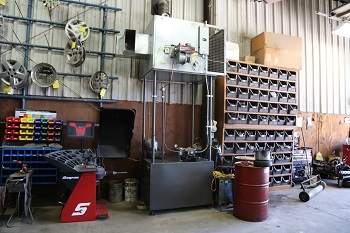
(13, 74)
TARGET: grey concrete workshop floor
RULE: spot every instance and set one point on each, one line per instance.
(328, 211)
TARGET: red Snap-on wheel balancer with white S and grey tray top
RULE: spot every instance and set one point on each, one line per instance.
(80, 174)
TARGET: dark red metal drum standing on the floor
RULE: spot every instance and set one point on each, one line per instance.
(251, 192)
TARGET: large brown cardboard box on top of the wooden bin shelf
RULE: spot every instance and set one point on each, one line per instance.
(279, 50)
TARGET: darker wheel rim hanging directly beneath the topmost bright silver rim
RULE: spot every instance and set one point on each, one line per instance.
(74, 52)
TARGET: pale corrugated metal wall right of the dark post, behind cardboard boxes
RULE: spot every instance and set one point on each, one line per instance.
(325, 76)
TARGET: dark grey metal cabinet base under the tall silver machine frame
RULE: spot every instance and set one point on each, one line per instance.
(171, 185)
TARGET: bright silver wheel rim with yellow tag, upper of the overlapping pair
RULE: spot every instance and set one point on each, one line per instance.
(76, 28)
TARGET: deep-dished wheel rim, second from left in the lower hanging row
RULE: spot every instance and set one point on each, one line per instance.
(43, 75)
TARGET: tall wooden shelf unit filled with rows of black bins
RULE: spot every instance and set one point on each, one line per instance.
(256, 108)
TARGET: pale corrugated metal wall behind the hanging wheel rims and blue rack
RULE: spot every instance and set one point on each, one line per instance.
(135, 14)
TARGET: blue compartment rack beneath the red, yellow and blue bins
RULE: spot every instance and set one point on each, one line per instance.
(44, 173)
